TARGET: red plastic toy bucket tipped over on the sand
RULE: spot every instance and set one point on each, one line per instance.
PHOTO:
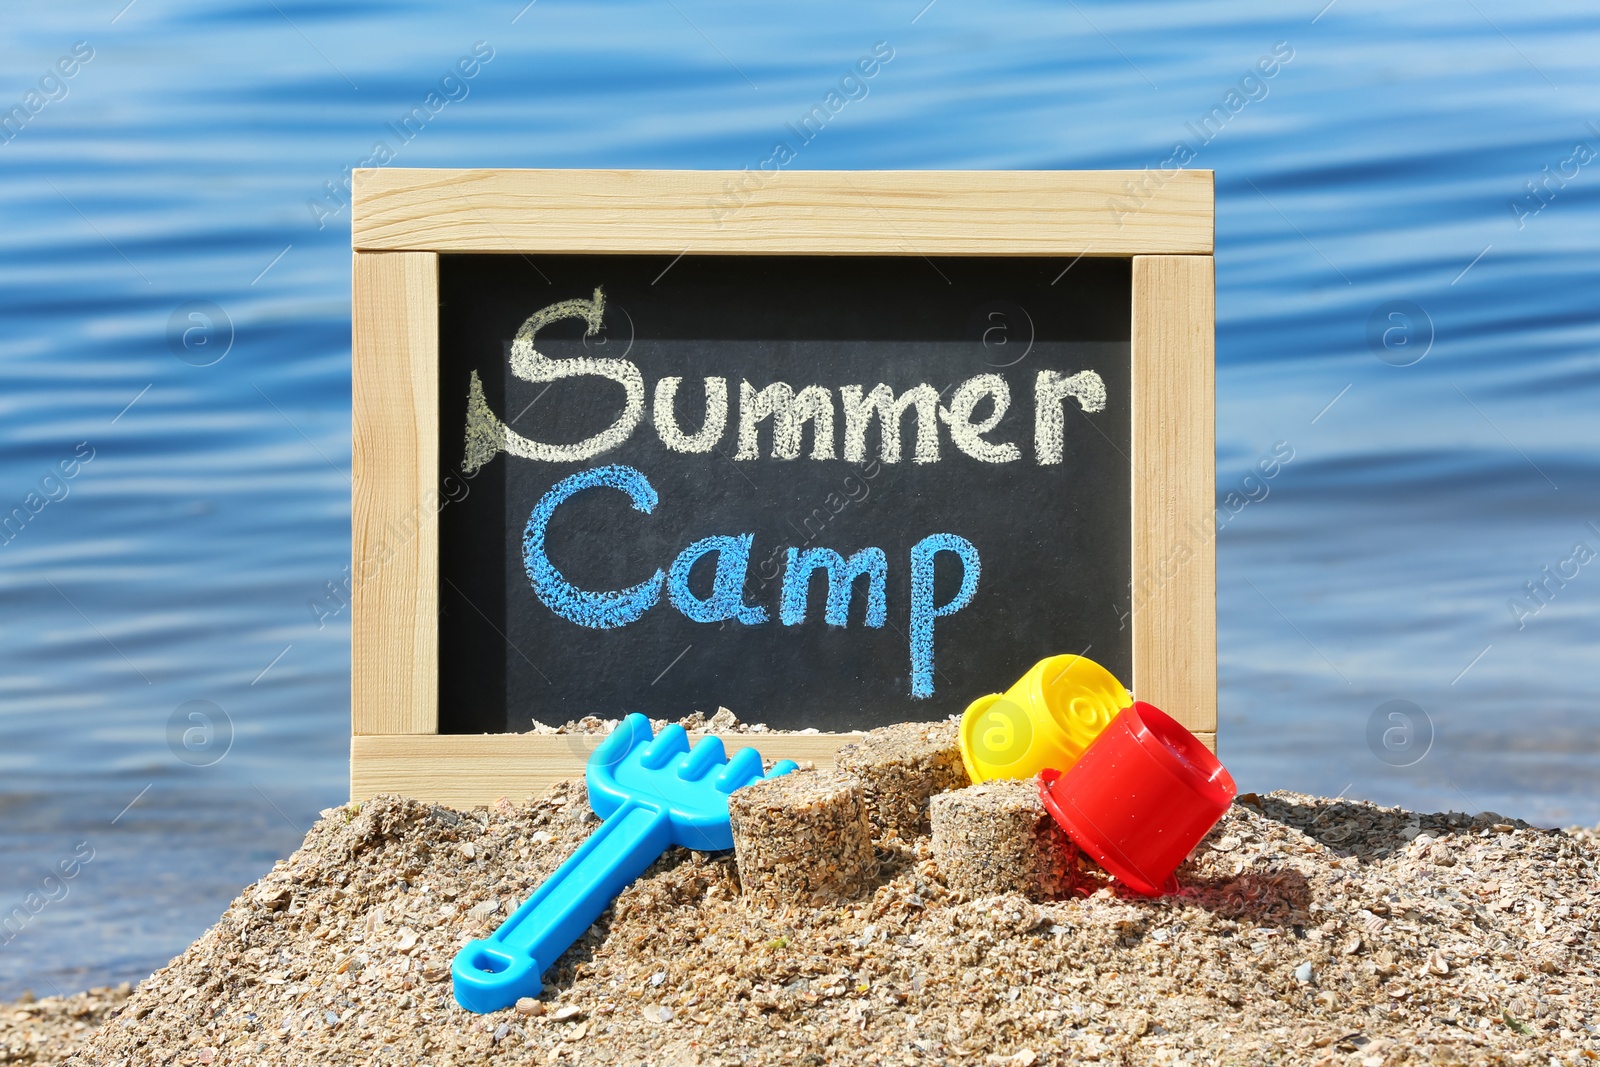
(1142, 797)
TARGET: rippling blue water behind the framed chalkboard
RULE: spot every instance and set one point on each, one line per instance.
(1377, 166)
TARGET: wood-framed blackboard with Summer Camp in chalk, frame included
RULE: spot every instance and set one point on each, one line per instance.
(828, 449)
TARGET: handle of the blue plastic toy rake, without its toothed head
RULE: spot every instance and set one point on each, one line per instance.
(495, 972)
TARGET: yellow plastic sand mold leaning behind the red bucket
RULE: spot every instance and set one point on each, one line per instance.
(1046, 721)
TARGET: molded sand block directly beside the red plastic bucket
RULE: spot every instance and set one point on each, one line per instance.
(998, 837)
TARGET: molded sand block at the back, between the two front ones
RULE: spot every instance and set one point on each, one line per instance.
(900, 769)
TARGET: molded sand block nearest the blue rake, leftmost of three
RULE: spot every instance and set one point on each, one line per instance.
(804, 839)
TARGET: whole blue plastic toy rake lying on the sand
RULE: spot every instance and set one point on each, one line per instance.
(652, 793)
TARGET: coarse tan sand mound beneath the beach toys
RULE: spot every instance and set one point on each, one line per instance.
(1310, 932)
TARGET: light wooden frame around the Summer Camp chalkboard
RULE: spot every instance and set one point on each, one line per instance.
(402, 220)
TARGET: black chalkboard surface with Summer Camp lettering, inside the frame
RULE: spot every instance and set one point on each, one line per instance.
(670, 567)
